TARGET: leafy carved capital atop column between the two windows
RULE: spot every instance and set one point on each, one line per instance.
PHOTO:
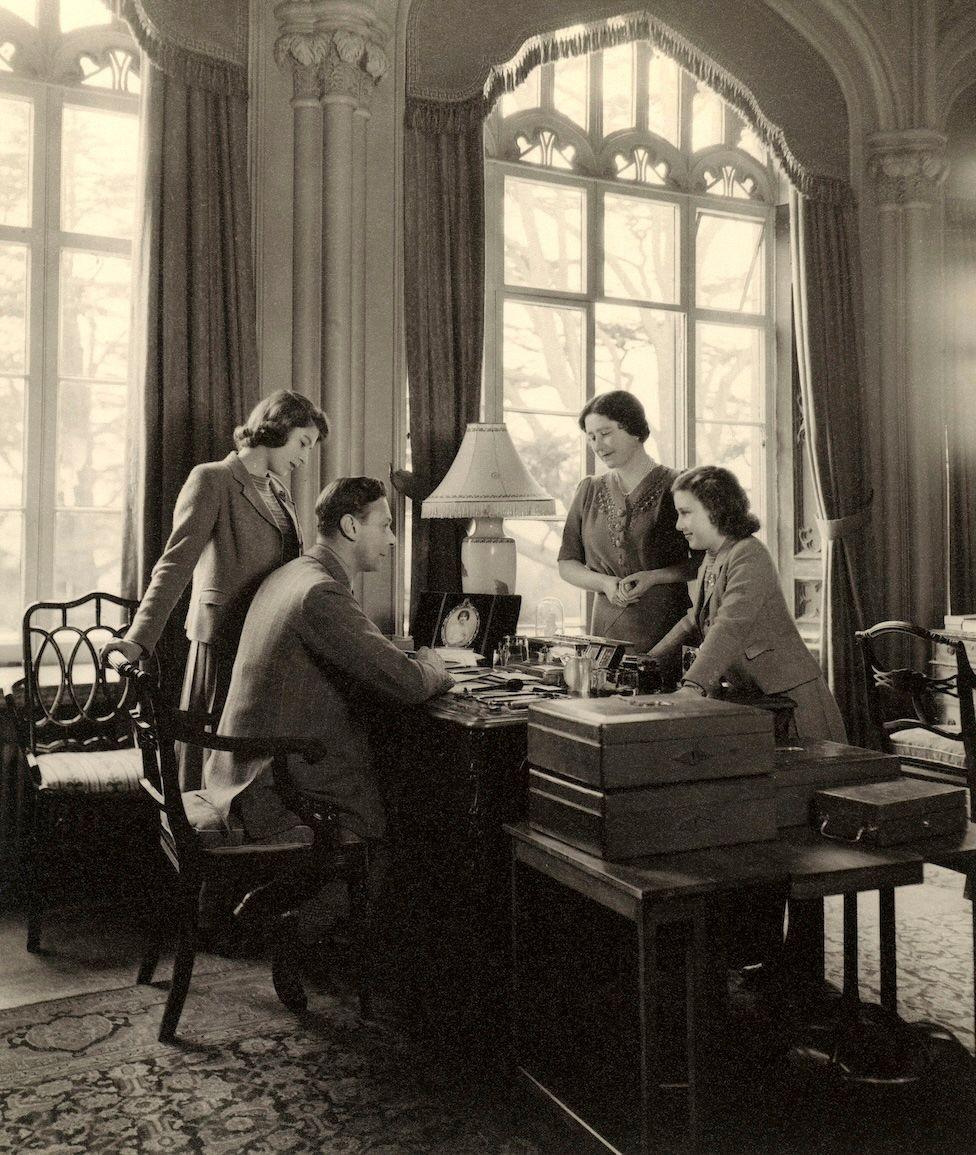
(344, 41)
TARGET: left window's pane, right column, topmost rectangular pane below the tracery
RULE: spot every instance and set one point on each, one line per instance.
(99, 166)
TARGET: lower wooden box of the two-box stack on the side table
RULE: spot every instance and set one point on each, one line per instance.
(619, 825)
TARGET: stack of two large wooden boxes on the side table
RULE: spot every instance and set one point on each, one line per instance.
(622, 778)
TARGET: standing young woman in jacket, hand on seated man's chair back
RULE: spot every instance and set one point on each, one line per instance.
(234, 524)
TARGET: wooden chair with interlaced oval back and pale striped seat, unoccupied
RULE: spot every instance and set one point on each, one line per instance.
(76, 735)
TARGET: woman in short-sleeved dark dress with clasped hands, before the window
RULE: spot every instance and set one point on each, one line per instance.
(621, 540)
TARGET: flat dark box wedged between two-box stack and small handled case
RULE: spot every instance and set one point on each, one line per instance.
(800, 772)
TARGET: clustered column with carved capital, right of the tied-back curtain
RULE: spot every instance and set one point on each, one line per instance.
(908, 170)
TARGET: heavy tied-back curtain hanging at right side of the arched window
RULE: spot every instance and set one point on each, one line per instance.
(826, 314)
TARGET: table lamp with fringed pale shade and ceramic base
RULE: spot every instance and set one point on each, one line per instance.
(488, 482)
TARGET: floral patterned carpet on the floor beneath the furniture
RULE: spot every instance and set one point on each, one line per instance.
(86, 1075)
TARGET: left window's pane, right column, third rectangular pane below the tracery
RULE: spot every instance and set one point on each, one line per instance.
(92, 442)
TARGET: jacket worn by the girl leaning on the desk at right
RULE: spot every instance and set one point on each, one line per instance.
(743, 627)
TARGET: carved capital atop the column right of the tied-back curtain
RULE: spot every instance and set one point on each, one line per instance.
(908, 169)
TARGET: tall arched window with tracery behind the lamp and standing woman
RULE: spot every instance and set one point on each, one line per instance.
(631, 245)
